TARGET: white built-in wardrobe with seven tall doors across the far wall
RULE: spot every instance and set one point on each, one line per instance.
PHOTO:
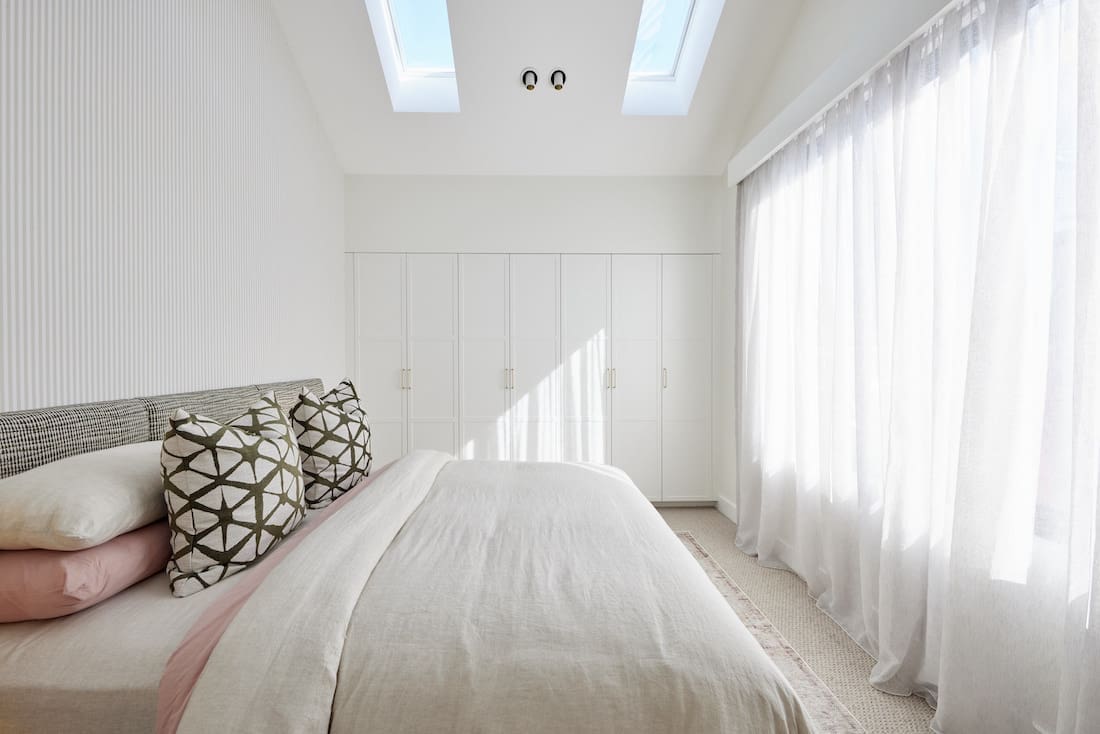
(599, 358)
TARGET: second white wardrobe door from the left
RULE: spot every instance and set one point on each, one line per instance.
(433, 283)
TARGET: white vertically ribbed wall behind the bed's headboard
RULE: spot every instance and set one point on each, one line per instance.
(171, 211)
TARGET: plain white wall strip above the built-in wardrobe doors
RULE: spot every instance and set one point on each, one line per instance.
(535, 214)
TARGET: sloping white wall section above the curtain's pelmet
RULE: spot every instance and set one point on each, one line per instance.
(831, 47)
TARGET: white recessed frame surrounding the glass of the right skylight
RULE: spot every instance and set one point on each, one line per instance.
(662, 95)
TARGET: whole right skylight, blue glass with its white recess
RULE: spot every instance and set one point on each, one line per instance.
(669, 52)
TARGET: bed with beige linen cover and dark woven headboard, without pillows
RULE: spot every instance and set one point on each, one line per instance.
(443, 596)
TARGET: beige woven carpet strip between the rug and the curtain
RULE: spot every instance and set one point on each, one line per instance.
(783, 597)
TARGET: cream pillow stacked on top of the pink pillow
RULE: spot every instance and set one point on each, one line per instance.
(83, 501)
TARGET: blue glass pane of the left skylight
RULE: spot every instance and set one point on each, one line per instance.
(423, 34)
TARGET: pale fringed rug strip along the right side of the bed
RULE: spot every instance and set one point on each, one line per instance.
(823, 707)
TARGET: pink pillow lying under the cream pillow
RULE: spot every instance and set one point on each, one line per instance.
(42, 585)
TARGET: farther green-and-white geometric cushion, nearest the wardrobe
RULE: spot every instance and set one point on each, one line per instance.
(335, 440)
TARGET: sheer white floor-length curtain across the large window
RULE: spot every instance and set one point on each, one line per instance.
(920, 367)
